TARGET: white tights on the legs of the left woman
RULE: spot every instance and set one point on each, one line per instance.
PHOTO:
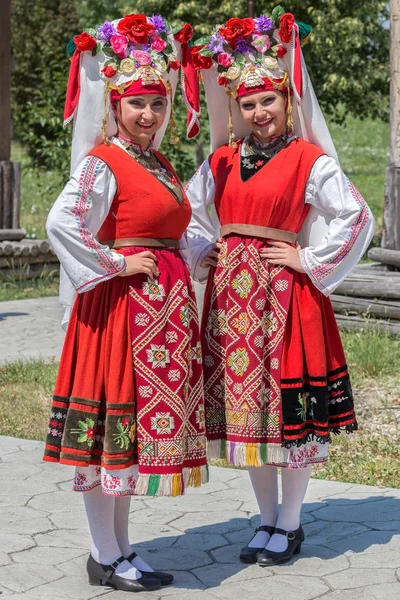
(108, 524)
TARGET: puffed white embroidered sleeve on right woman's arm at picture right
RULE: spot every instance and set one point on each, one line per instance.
(350, 230)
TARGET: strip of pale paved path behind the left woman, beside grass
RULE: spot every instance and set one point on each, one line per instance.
(30, 329)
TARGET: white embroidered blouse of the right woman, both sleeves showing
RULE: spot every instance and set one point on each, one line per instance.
(334, 236)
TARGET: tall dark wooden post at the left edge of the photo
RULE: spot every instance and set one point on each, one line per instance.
(9, 171)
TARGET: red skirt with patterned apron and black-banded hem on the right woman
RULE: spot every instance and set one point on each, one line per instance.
(275, 376)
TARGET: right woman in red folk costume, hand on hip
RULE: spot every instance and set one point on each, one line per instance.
(289, 226)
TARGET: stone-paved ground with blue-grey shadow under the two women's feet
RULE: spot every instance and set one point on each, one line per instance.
(352, 548)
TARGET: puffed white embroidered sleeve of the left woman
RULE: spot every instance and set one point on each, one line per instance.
(75, 220)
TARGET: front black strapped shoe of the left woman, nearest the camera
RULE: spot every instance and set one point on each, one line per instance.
(105, 575)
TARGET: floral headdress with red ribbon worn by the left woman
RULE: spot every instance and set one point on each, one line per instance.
(134, 48)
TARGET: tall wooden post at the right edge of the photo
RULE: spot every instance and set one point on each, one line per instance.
(391, 214)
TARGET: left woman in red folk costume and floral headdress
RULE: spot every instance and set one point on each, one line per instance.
(128, 408)
